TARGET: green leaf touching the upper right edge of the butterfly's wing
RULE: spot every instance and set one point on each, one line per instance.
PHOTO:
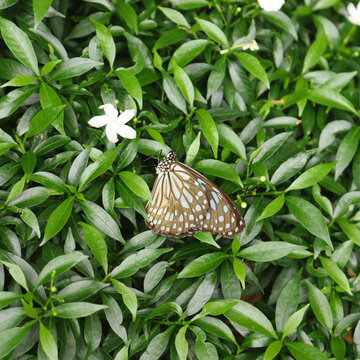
(218, 168)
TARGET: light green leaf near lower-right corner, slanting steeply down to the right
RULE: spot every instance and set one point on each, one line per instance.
(320, 306)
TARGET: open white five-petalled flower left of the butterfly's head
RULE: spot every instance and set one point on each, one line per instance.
(114, 124)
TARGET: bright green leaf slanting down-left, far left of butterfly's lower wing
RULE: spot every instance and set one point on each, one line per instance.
(58, 219)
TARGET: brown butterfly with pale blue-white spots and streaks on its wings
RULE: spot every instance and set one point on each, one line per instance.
(185, 202)
